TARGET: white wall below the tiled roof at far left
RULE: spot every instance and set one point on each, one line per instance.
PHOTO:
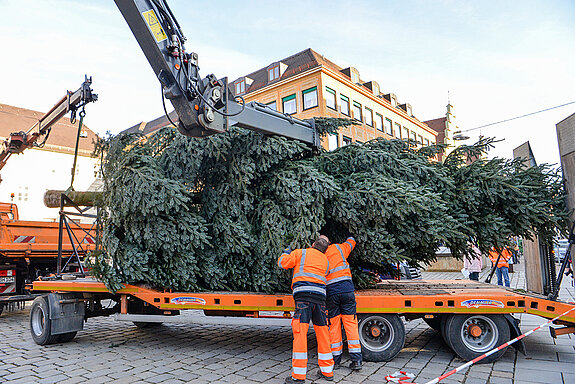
(35, 171)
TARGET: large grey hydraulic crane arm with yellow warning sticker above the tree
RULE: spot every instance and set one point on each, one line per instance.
(204, 106)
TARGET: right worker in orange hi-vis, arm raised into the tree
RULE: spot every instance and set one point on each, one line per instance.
(341, 306)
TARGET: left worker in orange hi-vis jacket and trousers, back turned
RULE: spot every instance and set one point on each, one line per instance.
(310, 267)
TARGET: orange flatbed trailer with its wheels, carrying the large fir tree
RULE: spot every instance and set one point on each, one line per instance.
(473, 317)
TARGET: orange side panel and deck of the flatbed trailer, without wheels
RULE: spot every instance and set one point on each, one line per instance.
(409, 297)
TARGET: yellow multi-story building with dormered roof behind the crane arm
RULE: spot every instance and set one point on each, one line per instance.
(308, 85)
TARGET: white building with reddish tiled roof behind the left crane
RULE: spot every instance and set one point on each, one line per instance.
(28, 175)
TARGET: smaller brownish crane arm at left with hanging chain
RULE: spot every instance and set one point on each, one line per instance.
(19, 141)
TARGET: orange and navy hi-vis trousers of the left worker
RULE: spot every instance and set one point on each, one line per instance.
(317, 313)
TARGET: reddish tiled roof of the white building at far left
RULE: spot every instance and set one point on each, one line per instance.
(62, 137)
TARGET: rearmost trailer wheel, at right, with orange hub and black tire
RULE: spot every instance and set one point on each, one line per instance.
(493, 330)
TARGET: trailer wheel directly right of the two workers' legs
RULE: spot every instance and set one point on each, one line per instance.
(382, 336)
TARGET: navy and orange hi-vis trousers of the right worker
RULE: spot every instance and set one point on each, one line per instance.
(341, 309)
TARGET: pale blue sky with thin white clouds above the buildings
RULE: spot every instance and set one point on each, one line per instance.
(497, 59)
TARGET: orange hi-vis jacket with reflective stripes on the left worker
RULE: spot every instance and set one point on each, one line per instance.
(310, 267)
